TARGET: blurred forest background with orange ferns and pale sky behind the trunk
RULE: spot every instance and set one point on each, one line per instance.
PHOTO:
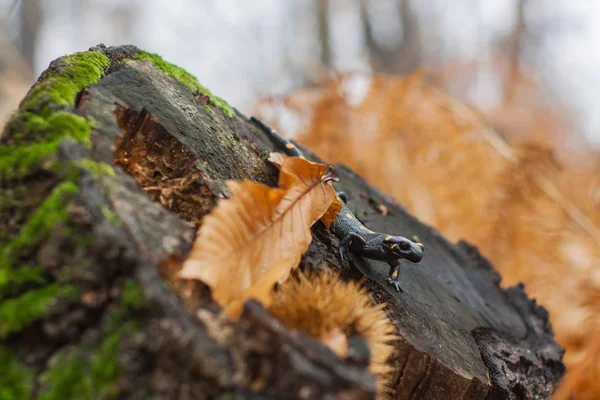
(479, 116)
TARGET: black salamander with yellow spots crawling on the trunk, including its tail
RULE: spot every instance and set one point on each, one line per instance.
(353, 235)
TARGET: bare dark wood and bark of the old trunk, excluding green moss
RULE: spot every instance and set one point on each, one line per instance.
(463, 336)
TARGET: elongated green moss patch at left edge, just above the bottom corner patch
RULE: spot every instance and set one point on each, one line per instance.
(19, 312)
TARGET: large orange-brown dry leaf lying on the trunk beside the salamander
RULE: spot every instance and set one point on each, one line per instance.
(254, 239)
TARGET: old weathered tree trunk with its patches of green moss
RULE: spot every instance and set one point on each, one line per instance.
(110, 162)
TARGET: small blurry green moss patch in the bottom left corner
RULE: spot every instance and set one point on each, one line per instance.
(16, 379)
